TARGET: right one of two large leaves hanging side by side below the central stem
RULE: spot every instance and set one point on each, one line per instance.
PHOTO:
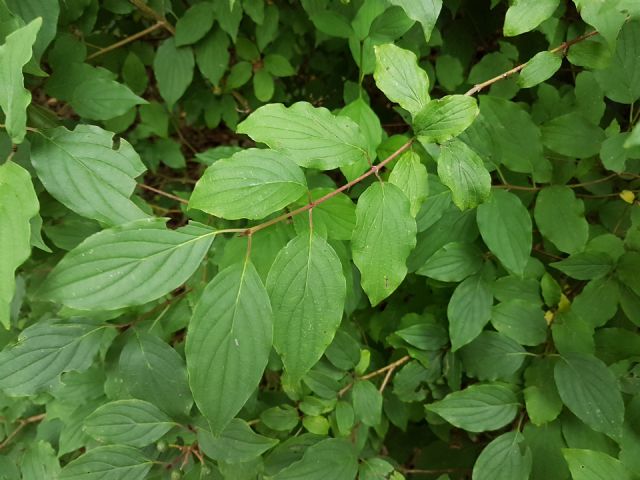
(307, 290)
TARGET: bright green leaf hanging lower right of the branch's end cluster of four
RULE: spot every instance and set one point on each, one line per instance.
(462, 170)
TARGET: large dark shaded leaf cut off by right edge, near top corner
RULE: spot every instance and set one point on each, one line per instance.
(619, 80)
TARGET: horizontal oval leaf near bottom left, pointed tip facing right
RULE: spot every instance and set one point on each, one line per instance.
(128, 422)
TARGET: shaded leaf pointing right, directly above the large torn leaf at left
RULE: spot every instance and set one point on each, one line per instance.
(103, 99)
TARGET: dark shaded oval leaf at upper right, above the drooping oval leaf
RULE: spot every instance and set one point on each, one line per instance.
(572, 135)
